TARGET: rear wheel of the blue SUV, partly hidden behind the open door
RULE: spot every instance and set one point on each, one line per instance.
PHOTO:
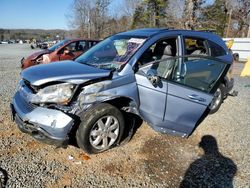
(217, 101)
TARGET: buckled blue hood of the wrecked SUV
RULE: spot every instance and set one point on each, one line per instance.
(68, 71)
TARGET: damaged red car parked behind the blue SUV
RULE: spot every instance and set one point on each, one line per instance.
(67, 49)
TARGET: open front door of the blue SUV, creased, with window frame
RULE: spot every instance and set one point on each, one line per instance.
(175, 99)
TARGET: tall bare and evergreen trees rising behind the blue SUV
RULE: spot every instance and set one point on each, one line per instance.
(101, 18)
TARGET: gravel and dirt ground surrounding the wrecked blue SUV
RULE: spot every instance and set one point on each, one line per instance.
(216, 155)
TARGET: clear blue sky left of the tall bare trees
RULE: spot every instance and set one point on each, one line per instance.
(34, 14)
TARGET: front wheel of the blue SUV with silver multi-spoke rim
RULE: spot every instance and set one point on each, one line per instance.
(93, 119)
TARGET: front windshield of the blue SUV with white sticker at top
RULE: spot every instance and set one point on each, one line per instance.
(111, 53)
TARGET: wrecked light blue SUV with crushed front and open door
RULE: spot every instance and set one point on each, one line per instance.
(145, 72)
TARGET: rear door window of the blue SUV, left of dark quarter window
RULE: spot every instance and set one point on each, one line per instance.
(194, 46)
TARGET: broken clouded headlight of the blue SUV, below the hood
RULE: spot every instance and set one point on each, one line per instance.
(59, 93)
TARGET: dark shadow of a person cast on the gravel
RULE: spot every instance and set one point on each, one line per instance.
(212, 169)
